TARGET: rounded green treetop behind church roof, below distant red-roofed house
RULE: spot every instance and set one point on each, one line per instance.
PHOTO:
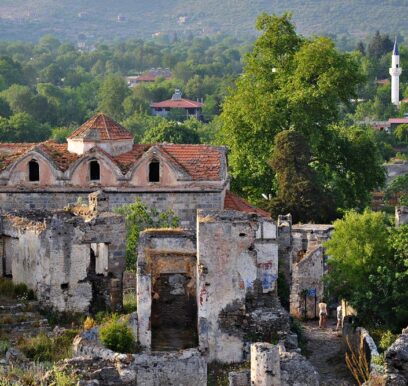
(172, 132)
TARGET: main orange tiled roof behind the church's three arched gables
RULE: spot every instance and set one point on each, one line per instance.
(201, 162)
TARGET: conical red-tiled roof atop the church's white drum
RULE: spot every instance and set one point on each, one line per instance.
(101, 127)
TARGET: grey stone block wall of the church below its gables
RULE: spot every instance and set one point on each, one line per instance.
(184, 203)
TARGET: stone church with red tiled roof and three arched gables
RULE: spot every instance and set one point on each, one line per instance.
(101, 154)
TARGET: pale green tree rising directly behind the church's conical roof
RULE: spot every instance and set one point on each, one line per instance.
(111, 96)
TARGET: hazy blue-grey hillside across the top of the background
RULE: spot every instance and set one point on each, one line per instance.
(109, 19)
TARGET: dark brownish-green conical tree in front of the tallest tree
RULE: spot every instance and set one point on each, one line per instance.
(299, 191)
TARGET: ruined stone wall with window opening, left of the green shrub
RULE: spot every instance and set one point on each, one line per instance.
(71, 262)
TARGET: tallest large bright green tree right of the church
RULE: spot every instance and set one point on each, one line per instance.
(293, 83)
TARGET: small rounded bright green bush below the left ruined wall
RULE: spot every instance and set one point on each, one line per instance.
(117, 336)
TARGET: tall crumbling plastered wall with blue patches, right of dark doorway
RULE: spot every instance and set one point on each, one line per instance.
(238, 259)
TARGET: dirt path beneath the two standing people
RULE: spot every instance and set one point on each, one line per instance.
(325, 353)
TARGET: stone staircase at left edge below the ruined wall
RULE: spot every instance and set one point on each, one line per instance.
(22, 319)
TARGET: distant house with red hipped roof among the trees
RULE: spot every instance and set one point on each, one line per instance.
(191, 108)
